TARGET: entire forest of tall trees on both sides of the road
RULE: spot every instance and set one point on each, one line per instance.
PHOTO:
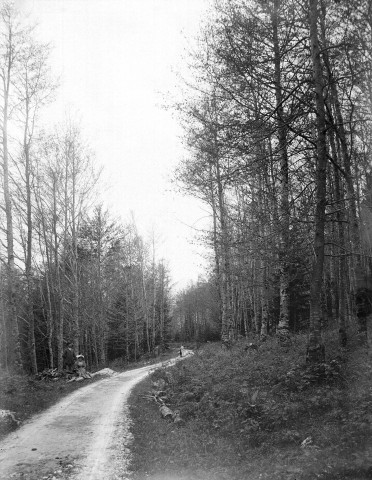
(277, 122)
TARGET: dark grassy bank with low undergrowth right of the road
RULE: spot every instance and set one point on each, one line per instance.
(246, 413)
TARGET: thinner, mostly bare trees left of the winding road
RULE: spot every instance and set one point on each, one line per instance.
(69, 272)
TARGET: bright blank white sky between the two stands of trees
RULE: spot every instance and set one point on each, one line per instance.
(115, 60)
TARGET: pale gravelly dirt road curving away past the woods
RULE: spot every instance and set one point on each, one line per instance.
(84, 437)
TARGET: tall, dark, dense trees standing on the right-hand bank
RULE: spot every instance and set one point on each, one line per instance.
(277, 121)
